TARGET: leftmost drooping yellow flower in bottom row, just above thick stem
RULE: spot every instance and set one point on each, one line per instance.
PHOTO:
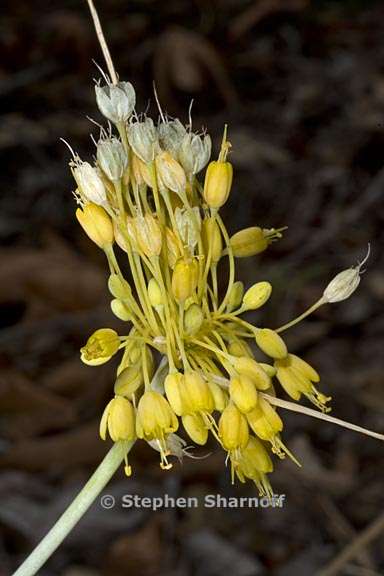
(119, 419)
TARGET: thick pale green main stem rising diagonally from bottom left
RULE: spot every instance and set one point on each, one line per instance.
(75, 511)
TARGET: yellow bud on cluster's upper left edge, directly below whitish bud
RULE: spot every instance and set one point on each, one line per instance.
(97, 224)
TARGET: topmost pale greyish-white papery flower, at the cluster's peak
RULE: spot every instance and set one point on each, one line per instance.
(116, 101)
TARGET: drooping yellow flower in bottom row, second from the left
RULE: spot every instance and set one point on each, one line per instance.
(155, 417)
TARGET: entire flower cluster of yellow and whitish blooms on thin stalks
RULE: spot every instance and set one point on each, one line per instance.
(186, 357)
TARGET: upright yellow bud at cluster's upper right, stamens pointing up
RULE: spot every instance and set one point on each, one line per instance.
(217, 184)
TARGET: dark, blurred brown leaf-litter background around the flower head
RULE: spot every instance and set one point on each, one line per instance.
(301, 85)
